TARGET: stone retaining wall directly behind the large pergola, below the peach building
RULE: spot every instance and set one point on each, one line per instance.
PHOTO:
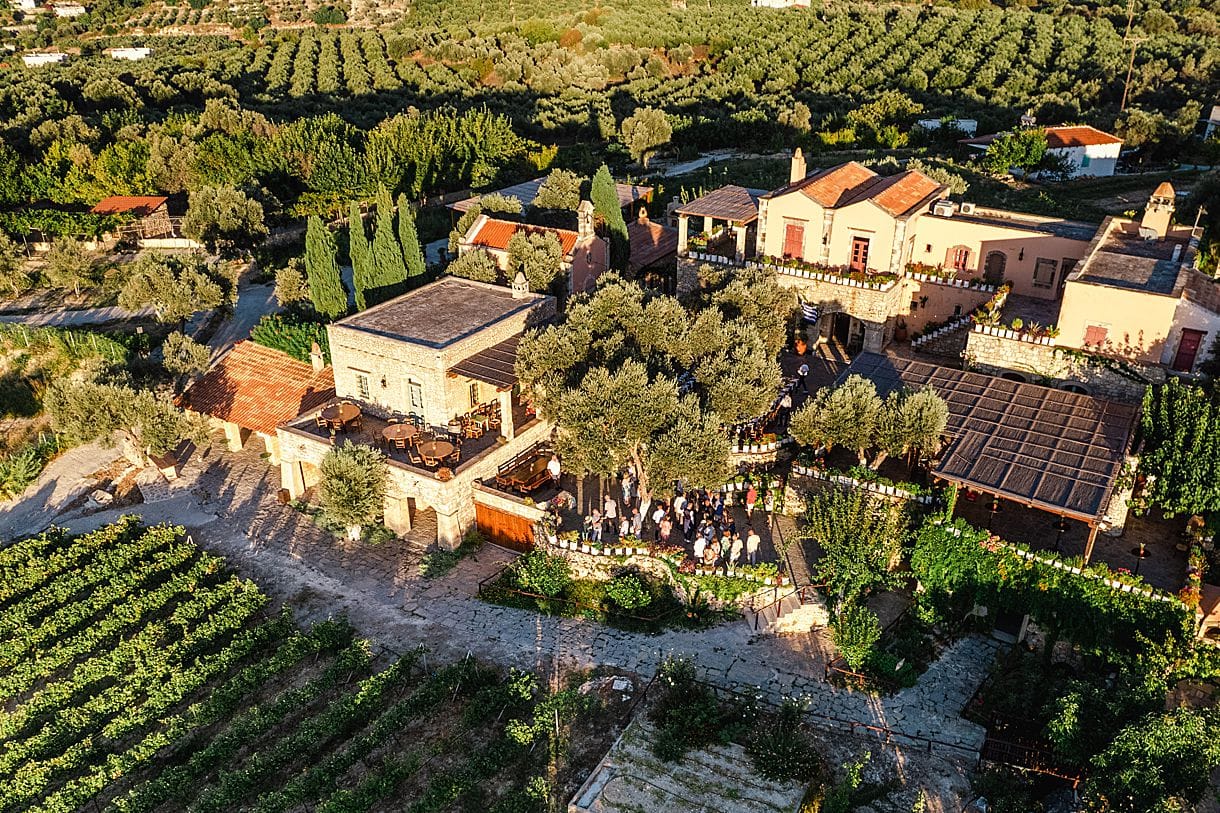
(1057, 367)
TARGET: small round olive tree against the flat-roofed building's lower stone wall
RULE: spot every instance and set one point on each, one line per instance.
(353, 486)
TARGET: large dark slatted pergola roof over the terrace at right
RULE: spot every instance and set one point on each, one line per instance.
(1055, 451)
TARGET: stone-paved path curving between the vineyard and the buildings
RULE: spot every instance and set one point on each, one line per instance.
(228, 501)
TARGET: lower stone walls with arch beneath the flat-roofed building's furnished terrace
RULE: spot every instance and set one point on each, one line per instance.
(409, 489)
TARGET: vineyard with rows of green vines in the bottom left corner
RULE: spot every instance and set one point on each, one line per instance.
(138, 674)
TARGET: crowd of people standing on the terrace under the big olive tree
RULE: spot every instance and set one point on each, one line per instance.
(692, 518)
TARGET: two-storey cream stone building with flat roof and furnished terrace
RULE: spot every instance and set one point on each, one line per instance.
(441, 352)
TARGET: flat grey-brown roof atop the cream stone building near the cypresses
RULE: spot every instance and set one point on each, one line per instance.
(441, 313)
